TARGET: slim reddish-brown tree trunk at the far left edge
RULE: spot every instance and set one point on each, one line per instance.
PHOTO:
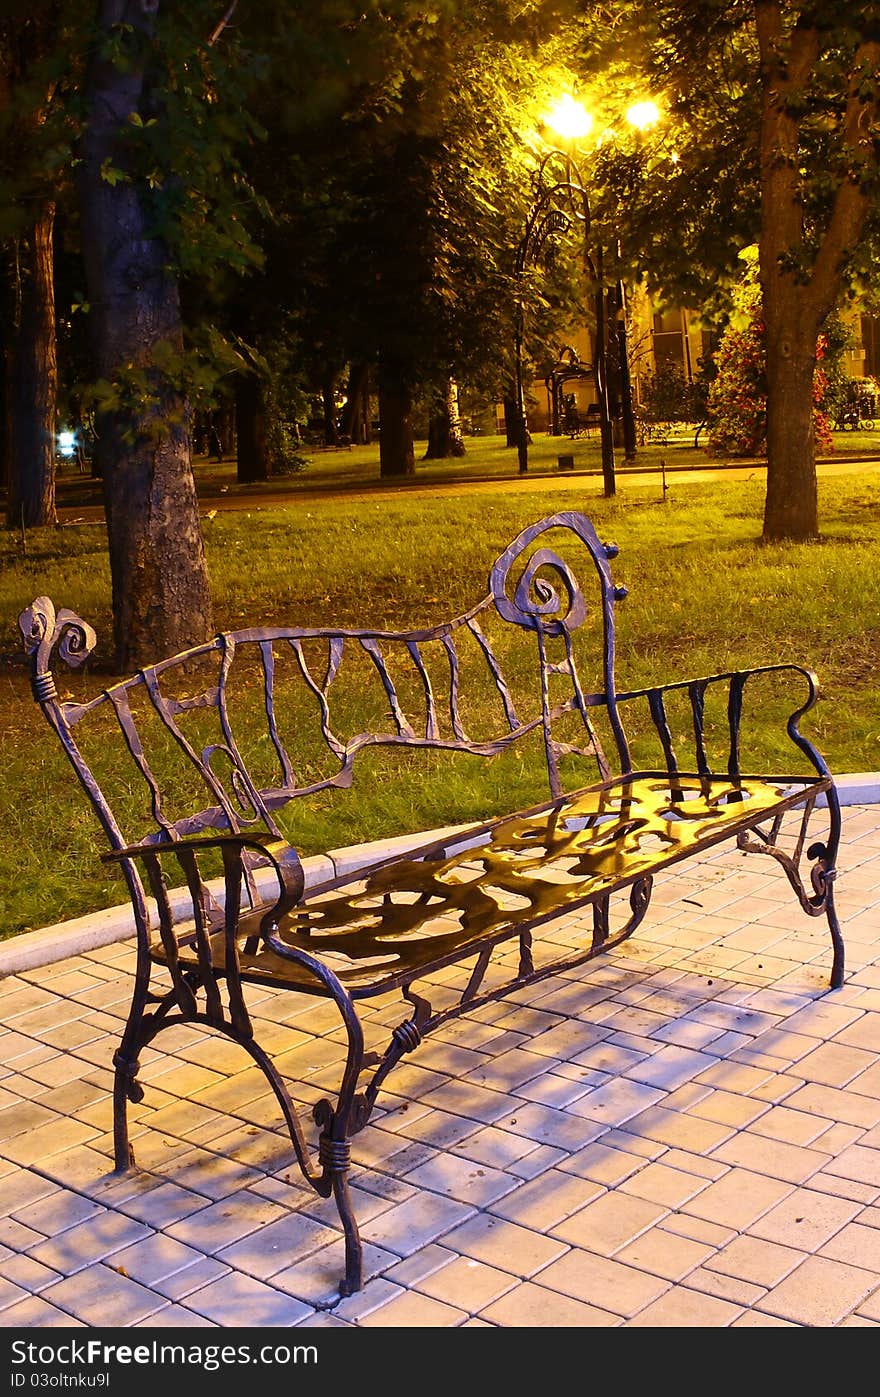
(34, 381)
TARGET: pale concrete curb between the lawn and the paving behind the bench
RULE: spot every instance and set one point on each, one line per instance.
(115, 924)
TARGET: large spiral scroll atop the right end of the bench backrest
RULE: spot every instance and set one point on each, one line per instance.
(537, 603)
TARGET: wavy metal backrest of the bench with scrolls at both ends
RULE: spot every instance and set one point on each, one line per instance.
(411, 684)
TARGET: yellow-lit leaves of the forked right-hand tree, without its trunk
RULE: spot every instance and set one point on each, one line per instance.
(688, 195)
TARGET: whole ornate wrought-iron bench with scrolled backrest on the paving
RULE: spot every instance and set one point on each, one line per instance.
(230, 737)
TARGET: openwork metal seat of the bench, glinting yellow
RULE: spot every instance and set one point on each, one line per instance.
(381, 928)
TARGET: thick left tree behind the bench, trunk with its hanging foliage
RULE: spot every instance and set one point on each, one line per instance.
(159, 196)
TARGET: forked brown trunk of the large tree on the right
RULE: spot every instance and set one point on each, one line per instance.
(821, 177)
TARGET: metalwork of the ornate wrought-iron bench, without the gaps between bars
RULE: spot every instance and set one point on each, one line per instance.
(600, 835)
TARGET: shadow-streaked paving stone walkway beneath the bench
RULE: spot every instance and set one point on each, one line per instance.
(687, 1134)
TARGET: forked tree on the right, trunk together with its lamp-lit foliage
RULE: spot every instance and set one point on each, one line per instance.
(773, 118)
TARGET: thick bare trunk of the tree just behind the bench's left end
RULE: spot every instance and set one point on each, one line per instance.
(161, 599)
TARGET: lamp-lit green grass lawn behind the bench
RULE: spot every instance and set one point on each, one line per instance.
(705, 596)
